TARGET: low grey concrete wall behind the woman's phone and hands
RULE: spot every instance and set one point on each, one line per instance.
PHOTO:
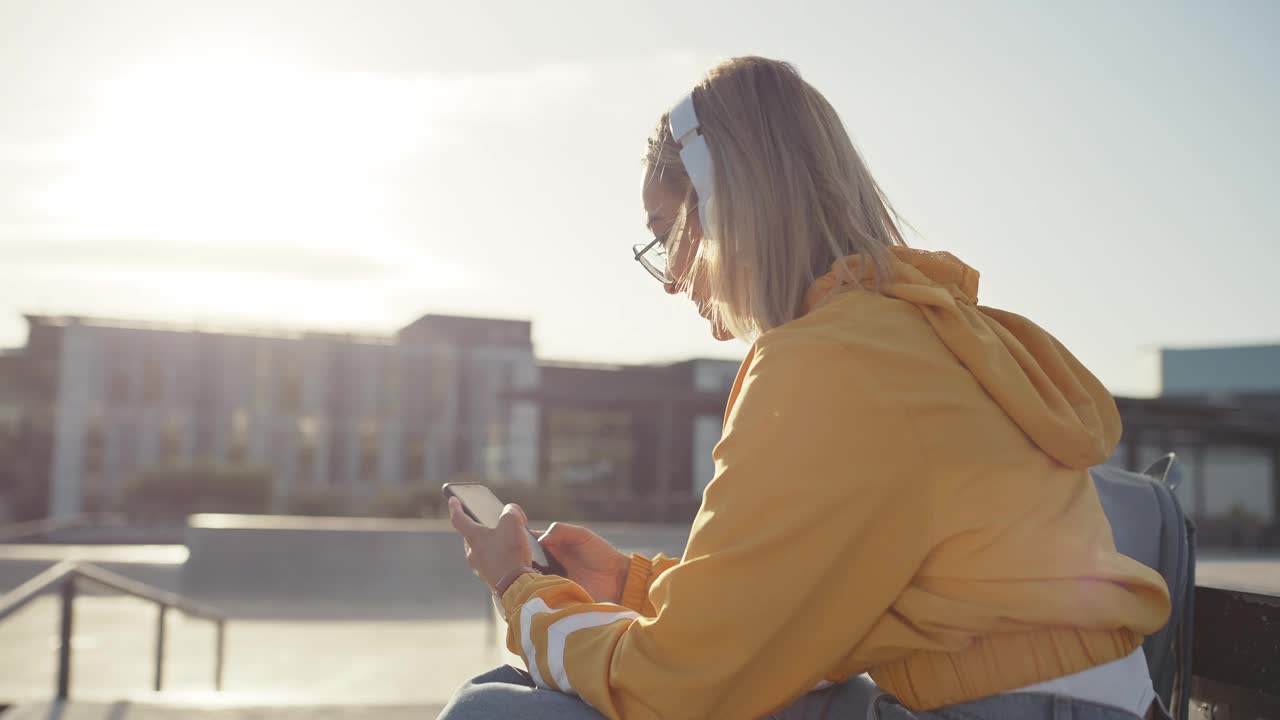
(345, 567)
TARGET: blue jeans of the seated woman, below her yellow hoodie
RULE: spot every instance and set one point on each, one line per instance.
(509, 692)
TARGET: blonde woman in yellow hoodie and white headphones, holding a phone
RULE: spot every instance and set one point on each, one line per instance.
(902, 489)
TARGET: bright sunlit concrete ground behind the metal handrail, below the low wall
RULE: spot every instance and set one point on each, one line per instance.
(268, 663)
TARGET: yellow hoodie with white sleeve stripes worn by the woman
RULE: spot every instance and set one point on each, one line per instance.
(902, 489)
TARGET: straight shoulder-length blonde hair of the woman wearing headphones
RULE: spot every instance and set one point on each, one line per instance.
(792, 195)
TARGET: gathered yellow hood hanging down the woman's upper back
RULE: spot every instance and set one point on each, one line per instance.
(1036, 381)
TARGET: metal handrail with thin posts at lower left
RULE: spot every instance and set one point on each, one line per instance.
(65, 576)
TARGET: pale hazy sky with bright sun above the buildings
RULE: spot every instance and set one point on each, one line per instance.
(1113, 170)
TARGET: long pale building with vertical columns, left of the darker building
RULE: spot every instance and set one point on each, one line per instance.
(354, 417)
